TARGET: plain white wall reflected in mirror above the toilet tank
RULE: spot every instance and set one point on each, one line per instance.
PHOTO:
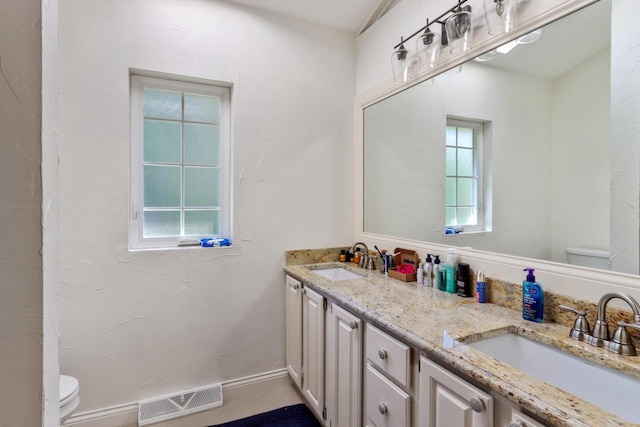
(581, 152)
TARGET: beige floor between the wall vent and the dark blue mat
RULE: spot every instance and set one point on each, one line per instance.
(282, 394)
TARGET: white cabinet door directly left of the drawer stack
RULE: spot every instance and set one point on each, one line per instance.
(344, 368)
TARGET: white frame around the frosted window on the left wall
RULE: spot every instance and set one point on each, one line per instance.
(138, 84)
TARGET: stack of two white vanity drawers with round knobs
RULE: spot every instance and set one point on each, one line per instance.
(388, 369)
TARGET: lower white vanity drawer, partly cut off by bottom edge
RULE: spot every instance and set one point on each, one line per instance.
(387, 405)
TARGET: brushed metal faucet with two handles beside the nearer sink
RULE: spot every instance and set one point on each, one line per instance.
(621, 342)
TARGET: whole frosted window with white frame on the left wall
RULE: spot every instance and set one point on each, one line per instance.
(180, 162)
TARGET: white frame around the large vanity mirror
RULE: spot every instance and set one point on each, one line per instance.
(536, 14)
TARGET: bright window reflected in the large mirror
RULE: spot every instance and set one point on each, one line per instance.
(464, 175)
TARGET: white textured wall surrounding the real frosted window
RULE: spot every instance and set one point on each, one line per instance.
(137, 325)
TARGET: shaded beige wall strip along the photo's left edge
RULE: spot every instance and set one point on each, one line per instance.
(21, 293)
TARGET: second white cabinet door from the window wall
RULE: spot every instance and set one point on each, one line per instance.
(313, 349)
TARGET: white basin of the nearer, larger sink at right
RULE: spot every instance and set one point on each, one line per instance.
(603, 387)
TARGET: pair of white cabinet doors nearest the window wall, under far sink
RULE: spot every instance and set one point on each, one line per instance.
(305, 342)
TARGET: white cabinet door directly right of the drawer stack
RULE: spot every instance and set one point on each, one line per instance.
(446, 400)
